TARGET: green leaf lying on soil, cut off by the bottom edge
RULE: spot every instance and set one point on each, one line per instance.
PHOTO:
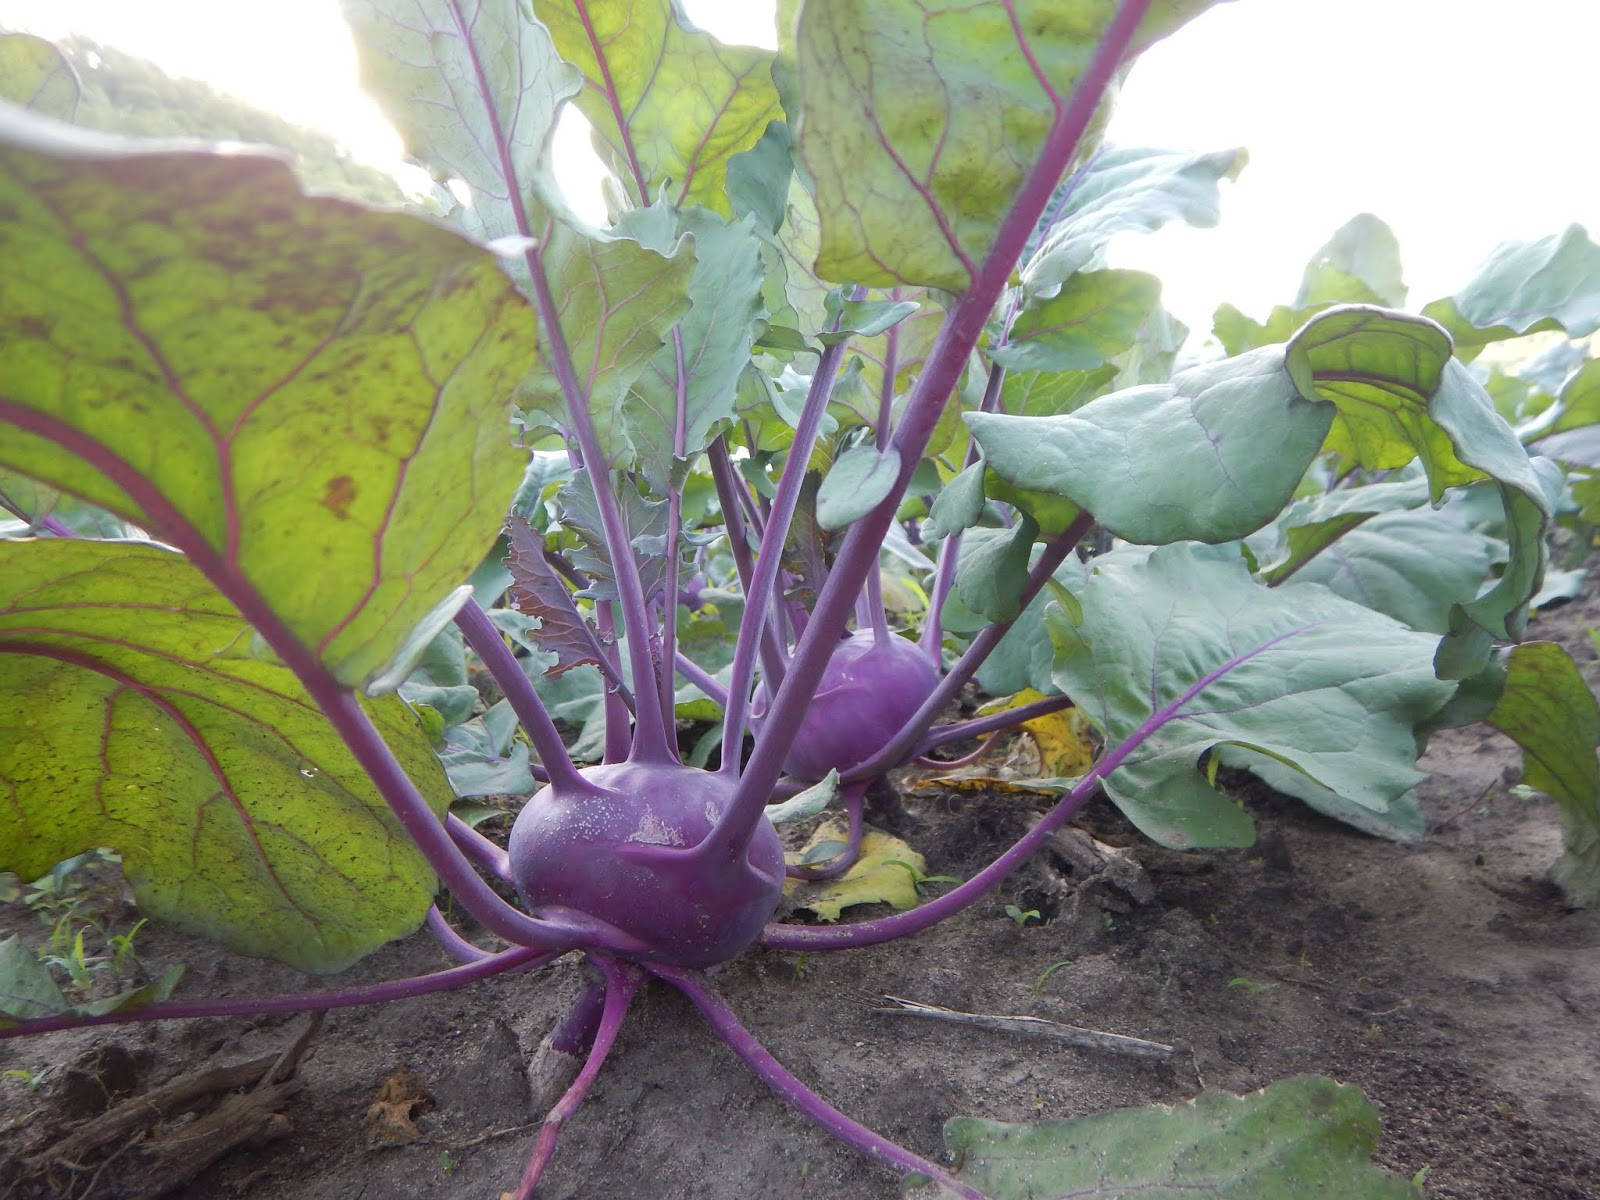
(1294, 1140)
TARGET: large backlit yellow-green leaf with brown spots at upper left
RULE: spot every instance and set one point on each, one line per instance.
(305, 396)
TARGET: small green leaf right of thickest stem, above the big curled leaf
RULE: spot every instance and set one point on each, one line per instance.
(1092, 319)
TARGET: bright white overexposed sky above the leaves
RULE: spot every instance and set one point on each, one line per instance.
(1458, 122)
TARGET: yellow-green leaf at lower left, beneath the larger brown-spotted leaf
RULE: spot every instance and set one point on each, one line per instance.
(145, 722)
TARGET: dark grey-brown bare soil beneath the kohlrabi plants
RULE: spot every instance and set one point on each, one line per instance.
(1446, 978)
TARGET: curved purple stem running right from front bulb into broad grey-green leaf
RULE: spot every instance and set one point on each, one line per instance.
(935, 911)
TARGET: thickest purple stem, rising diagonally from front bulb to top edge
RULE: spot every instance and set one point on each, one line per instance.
(943, 370)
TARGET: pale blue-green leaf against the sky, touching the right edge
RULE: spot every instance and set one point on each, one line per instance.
(1527, 287)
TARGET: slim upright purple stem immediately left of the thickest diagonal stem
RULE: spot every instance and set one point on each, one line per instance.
(759, 598)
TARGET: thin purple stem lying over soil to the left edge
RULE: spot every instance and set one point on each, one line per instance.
(516, 959)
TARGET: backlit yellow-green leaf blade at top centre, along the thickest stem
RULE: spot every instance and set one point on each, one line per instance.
(919, 122)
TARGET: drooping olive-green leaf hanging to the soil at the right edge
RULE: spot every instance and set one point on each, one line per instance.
(1548, 710)
